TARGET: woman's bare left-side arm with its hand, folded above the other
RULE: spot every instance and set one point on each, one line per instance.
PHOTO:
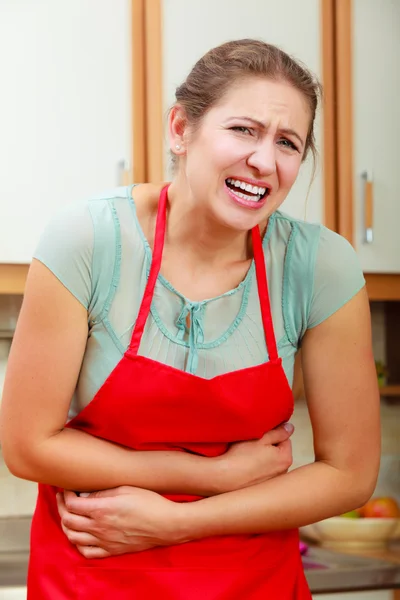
(43, 369)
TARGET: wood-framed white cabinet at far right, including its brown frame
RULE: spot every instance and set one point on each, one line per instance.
(368, 126)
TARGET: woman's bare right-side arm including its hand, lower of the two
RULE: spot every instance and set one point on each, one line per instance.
(342, 394)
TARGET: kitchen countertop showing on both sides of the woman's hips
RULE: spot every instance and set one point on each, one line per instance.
(326, 571)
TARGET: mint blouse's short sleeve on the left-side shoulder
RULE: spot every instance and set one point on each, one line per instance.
(66, 248)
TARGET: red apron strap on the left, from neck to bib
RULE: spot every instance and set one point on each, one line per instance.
(154, 270)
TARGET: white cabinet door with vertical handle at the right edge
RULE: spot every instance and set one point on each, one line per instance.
(376, 50)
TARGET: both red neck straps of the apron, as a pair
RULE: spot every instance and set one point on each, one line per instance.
(159, 238)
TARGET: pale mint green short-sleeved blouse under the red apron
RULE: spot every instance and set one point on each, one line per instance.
(98, 251)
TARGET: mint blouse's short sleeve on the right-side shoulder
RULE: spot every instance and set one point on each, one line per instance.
(337, 276)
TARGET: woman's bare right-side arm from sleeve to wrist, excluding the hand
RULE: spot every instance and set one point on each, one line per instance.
(343, 399)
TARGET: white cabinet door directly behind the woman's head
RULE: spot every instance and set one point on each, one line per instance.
(191, 27)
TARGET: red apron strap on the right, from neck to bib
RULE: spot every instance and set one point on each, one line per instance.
(262, 284)
